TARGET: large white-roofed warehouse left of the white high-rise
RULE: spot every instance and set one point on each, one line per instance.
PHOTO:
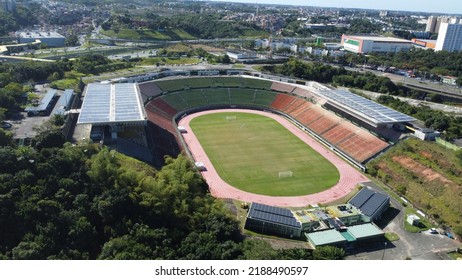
(368, 44)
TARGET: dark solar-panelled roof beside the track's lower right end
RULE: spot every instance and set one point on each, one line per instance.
(368, 201)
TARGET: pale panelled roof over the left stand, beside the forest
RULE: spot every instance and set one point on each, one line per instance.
(111, 104)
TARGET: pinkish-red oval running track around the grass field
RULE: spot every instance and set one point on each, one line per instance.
(349, 176)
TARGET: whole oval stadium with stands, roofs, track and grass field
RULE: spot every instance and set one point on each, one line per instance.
(255, 139)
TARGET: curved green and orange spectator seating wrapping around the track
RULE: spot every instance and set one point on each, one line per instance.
(354, 142)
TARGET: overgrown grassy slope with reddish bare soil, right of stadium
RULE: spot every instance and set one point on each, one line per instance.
(428, 175)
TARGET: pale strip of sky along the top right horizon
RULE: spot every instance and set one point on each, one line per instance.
(430, 6)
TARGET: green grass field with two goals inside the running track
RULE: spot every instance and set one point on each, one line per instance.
(250, 151)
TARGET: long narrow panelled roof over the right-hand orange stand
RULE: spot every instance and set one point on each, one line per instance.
(365, 108)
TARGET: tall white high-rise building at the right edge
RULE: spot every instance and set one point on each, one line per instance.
(449, 37)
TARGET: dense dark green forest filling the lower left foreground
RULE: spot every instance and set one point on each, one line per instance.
(61, 201)
